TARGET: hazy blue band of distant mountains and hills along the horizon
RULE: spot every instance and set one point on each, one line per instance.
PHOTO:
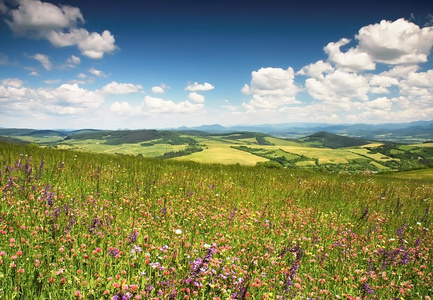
(414, 132)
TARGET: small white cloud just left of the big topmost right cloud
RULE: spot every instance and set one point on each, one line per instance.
(353, 59)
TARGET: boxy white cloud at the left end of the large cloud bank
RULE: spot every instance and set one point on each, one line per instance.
(271, 88)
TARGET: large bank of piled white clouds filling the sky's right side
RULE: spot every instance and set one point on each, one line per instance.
(347, 86)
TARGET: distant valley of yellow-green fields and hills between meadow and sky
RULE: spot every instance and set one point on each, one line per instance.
(370, 148)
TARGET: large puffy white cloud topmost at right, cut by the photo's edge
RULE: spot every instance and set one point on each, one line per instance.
(398, 42)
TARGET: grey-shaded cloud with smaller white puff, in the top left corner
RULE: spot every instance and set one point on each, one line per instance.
(57, 24)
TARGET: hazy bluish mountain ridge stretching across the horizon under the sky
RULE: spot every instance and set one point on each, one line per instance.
(412, 132)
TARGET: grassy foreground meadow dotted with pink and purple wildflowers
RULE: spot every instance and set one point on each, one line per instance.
(80, 225)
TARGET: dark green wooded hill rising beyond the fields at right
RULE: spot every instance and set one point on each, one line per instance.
(333, 141)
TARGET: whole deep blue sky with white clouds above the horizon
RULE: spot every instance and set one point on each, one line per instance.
(145, 64)
